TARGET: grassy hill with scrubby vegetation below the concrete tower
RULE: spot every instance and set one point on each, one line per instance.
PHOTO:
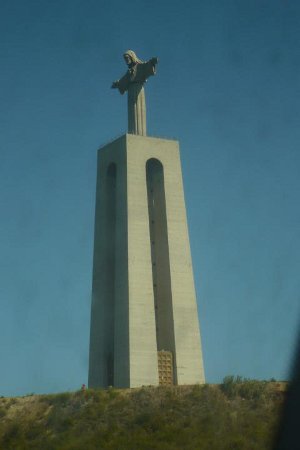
(236, 415)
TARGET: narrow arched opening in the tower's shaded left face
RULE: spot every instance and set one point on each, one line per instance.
(110, 269)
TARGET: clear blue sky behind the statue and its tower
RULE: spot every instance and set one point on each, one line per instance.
(228, 88)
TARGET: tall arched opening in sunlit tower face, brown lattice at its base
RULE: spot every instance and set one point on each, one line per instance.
(161, 271)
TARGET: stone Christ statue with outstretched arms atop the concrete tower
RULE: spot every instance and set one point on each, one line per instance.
(133, 82)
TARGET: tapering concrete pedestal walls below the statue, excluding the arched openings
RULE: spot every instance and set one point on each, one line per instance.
(133, 329)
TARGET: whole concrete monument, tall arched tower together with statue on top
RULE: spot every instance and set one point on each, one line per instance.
(144, 321)
